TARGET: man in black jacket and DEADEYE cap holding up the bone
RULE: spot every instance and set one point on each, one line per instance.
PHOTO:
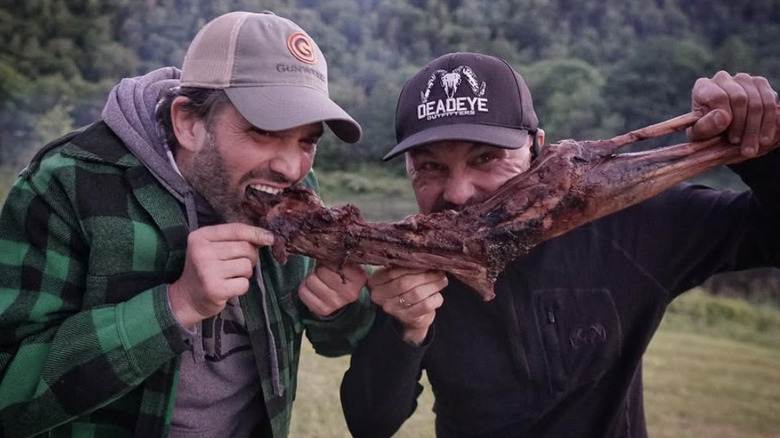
(558, 352)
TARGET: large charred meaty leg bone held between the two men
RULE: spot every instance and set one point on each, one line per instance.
(569, 184)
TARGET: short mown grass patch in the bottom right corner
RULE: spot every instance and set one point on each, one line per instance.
(701, 386)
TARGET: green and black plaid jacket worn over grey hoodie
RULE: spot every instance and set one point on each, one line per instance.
(89, 242)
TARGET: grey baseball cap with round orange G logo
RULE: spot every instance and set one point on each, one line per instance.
(271, 70)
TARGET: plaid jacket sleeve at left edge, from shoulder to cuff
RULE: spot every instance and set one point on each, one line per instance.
(67, 348)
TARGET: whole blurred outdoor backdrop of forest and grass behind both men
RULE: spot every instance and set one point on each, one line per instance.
(596, 69)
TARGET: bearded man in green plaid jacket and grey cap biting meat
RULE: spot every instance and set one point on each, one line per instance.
(136, 298)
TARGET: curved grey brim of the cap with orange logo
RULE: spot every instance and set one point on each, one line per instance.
(276, 108)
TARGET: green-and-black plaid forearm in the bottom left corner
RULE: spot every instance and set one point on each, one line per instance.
(84, 361)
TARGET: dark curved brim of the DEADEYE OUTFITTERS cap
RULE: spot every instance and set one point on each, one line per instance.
(499, 136)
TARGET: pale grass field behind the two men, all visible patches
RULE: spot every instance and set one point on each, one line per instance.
(699, 380)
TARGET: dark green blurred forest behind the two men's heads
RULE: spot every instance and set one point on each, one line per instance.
(596, 68)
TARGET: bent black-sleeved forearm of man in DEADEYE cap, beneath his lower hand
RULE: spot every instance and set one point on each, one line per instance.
(379, 390)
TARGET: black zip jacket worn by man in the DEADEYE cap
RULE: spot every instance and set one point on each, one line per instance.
(558, 352)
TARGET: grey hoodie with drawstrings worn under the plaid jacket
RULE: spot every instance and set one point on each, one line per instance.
(219, 392)
